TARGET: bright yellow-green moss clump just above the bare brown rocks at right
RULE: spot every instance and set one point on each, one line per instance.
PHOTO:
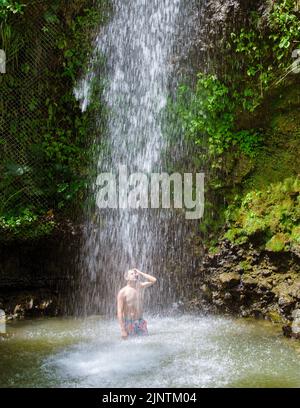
(273, 213)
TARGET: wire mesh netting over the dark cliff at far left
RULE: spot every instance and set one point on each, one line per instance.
(23, 109)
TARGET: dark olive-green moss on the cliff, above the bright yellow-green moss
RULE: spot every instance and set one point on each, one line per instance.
(280, 155)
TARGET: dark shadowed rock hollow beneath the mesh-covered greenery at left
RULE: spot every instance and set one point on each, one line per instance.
(38, 277)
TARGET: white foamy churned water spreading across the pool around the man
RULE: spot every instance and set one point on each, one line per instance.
(184, 351)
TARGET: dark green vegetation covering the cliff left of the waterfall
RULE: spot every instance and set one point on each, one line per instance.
(46, 139)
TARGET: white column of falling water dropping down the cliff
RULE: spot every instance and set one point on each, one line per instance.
(140, 46)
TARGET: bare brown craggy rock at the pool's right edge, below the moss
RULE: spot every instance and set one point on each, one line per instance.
(244, 281)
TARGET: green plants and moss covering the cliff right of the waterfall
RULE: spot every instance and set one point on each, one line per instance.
(244, 124)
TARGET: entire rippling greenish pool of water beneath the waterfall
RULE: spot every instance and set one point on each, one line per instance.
(185, 351)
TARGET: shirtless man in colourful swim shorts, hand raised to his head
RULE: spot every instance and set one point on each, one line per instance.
(130, 304)
